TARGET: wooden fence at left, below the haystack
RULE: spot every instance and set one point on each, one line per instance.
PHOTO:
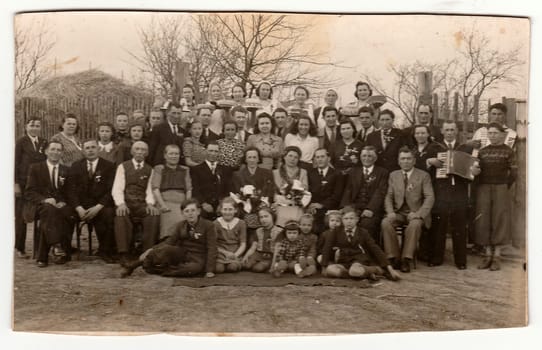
(89, 111)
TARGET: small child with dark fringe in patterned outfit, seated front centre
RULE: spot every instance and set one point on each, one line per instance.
(290, 252)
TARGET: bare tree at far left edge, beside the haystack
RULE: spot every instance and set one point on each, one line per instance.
(33, 43)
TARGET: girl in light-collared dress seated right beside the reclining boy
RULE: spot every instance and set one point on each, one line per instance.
(231, 237)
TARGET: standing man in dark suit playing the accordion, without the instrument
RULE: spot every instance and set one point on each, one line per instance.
(451, 203)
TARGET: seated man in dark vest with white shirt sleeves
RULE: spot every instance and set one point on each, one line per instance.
(132, 194)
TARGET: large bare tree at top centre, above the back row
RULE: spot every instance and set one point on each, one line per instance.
(248, 48)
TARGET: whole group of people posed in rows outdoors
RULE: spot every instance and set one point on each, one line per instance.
(276, 189)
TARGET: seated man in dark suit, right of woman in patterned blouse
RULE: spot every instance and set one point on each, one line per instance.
(209, 182)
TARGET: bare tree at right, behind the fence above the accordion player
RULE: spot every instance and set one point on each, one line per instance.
(478, 68)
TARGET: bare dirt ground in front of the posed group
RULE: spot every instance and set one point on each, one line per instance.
(86, 295)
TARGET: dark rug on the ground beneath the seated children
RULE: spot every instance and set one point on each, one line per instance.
(252, 279)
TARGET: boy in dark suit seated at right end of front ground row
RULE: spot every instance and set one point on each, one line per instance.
(356, 247)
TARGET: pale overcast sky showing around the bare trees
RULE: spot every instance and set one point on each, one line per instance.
(367, 44)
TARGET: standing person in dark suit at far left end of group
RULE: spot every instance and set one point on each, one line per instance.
(29, 149)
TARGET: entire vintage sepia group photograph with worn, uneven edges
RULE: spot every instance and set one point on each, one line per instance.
(268, 173)
